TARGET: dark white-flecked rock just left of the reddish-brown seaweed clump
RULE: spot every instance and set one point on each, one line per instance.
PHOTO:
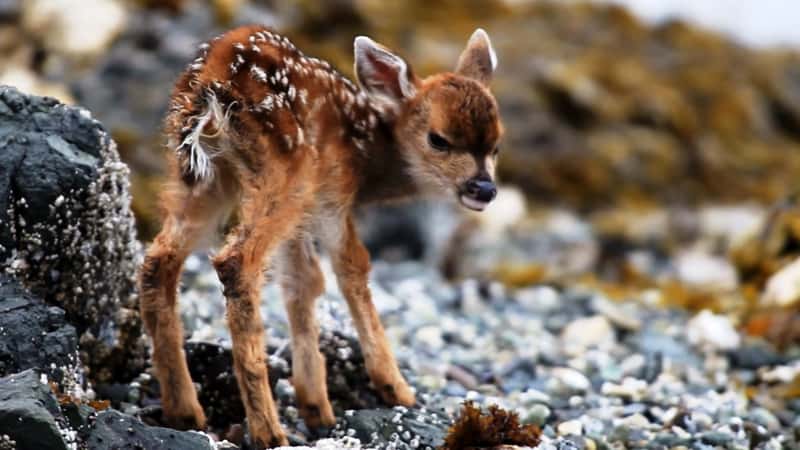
(406, 428)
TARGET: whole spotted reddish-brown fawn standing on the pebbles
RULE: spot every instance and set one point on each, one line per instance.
(292, 147)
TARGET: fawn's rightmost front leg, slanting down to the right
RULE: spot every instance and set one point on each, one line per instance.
(351, 264)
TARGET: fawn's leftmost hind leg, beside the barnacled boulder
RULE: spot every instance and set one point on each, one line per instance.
(189, 219)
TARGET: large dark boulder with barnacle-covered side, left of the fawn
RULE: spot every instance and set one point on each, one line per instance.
(66, 229)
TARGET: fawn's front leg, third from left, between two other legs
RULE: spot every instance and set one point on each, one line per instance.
(302, 282)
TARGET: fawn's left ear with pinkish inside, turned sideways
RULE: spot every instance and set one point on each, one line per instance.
(381, 72)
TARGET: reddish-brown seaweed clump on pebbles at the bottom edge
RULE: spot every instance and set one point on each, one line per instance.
(497, 428)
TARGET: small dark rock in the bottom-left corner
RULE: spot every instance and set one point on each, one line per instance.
(28, 412)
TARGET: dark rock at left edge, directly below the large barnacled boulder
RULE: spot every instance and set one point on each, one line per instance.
(34, 335)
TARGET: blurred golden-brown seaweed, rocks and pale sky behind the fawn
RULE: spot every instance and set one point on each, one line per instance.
(653, 146)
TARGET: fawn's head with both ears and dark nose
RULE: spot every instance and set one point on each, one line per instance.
(446, 126)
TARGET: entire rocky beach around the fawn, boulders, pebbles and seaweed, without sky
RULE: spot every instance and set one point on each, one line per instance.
(635, 286)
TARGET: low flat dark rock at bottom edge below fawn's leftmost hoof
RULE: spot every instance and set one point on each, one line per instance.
(117, 431)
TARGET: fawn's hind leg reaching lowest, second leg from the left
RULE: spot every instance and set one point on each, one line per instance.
(270, 213)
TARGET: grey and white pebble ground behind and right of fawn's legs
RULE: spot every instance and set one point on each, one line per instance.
(592, 372)
